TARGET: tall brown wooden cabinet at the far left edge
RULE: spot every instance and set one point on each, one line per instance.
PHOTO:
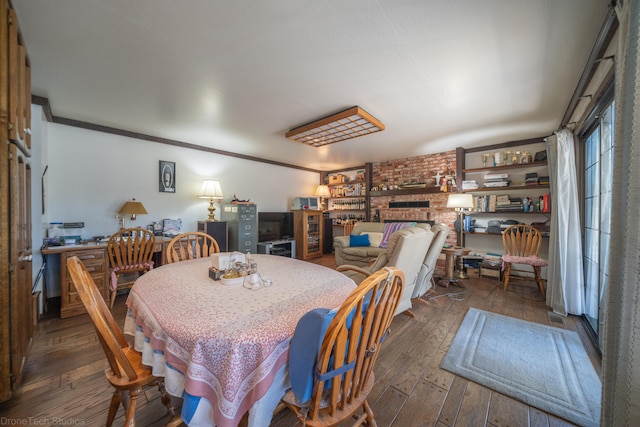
(16, 323)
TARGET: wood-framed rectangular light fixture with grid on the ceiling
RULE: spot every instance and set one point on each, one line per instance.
(346, 124)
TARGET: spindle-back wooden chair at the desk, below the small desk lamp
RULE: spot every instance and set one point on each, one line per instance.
(130, 255)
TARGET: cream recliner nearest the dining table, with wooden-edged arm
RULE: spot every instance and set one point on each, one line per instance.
(405, 251)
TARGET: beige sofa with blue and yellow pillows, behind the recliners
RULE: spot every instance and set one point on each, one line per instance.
(362, 256)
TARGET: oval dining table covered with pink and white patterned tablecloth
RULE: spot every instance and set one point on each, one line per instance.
(223, 348)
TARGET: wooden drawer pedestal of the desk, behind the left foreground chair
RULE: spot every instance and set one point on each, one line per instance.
(97, 263)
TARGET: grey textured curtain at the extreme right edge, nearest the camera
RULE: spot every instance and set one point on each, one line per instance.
(621, 355)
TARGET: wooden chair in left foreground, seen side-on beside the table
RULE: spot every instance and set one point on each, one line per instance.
(124, 369)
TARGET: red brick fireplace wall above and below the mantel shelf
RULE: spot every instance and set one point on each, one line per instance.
(412, 170)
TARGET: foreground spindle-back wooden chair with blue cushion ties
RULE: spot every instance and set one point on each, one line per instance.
(343, 374)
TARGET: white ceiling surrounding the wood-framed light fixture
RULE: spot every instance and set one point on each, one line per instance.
(237, 75)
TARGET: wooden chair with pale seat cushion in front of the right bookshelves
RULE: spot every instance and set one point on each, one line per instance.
(522, 246)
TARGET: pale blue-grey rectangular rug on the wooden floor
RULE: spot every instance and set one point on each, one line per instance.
(540, 365)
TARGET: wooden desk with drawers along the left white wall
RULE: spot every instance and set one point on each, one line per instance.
(94, 257)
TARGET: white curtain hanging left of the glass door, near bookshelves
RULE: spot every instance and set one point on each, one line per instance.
(565, 281)
